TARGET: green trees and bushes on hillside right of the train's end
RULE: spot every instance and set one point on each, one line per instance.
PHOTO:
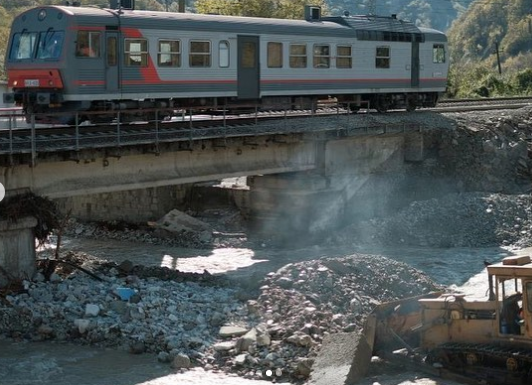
(475, 37)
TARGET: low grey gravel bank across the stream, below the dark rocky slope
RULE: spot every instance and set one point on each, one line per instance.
(455, 220)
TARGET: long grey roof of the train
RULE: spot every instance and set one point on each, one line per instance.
(348, 26)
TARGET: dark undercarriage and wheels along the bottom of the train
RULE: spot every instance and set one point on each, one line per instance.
(48, 106)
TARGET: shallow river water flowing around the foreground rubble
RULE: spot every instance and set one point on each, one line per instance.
(59, 364)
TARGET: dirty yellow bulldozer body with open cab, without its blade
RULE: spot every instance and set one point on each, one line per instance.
(479, 341)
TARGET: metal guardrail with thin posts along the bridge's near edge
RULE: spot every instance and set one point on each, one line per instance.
(21, 137)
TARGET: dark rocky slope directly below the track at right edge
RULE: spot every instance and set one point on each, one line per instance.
(487, 151)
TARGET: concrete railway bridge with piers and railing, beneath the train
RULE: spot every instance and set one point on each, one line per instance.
(302, 171)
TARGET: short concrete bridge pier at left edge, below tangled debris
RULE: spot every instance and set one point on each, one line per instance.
(17, 250)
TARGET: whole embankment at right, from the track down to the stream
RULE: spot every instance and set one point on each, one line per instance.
(471, 190)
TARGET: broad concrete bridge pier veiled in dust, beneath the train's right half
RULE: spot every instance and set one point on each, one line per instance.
(354, 177)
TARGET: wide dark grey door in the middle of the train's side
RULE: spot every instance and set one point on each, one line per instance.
(248, 70)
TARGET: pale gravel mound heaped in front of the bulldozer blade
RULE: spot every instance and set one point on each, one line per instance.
(302, 302)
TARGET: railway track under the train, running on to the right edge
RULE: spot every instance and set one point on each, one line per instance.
(15, 139)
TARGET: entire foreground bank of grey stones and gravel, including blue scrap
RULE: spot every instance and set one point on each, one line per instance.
(189, 323)
